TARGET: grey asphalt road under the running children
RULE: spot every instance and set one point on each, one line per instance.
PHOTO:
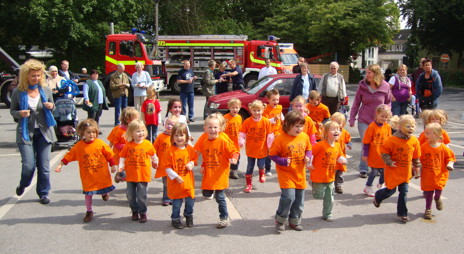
(359, 227)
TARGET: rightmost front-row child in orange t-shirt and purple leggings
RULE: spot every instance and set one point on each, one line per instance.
(437, 160)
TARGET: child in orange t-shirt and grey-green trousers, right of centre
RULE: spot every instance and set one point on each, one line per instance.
(326, 154)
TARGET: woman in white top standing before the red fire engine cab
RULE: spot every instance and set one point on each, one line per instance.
(141, 80)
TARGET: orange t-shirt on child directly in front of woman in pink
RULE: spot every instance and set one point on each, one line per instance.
(375, 136)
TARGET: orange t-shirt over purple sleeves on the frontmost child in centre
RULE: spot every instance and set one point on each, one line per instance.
(292, 176)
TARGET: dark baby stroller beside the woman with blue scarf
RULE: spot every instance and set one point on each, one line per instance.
(65, 115)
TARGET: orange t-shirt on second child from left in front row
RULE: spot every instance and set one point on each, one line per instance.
(137, 161)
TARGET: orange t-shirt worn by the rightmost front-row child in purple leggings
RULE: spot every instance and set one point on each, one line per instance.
(434, 160)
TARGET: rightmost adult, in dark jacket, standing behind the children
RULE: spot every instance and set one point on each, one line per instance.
(429, 87)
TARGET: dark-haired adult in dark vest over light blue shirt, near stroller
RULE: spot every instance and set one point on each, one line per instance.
(94, 97)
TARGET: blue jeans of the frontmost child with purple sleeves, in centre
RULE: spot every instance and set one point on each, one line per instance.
(291, 206)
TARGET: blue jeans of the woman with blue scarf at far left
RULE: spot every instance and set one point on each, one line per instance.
(35, 155)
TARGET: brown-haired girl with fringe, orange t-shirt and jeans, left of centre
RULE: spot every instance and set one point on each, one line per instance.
(178, 162)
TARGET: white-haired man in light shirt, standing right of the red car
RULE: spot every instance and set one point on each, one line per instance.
(332, 88)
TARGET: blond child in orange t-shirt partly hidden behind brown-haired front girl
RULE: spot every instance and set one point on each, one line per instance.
(162, 143)
